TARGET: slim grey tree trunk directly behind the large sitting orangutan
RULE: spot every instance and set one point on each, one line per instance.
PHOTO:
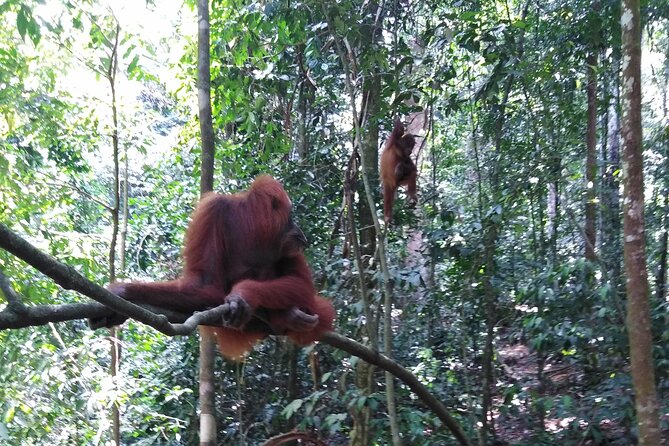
(207, 343)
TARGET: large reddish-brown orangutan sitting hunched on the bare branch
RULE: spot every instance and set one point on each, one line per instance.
(243, 250)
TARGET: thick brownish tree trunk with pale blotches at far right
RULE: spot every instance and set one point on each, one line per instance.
(638, 311)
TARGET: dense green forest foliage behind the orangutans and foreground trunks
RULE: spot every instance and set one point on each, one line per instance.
(507, 277)
